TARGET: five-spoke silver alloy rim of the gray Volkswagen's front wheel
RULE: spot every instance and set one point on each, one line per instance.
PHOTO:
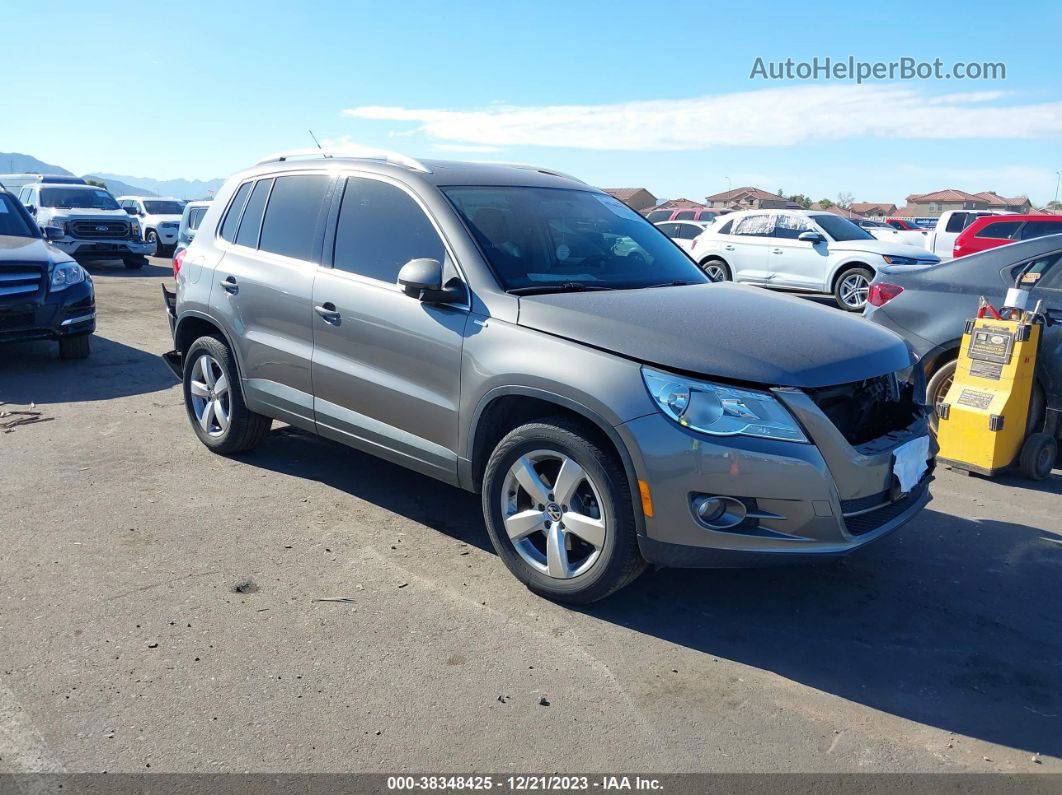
(554, 514)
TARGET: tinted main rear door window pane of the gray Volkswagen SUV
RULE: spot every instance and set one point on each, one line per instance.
(292, 224)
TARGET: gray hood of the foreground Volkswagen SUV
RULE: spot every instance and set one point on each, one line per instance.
(725, 331)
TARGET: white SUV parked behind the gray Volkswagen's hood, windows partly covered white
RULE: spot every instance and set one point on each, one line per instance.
(801, 250)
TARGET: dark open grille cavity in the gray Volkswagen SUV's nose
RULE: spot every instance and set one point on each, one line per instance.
(868, 410)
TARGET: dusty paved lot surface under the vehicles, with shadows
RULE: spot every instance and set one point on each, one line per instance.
(125, 647)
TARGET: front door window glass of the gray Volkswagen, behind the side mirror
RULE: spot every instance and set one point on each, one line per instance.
(381, 230)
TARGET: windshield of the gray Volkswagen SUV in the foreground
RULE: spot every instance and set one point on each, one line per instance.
(569, 239)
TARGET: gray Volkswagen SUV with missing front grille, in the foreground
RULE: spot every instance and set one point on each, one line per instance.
(516, 333)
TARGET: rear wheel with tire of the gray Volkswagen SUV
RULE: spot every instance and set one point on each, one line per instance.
(214, 400)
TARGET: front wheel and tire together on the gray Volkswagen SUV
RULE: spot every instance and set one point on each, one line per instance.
(560, 514)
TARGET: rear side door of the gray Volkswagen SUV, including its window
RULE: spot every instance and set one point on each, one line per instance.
(264, 289)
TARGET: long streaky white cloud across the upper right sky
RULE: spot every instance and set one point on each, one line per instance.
(775, 117)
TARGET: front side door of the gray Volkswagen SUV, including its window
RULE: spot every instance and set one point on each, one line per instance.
(387, 368)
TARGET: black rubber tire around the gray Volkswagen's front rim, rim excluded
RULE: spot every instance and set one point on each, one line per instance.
(611, 571)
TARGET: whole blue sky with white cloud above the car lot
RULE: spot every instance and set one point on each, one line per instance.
(622, 94)
